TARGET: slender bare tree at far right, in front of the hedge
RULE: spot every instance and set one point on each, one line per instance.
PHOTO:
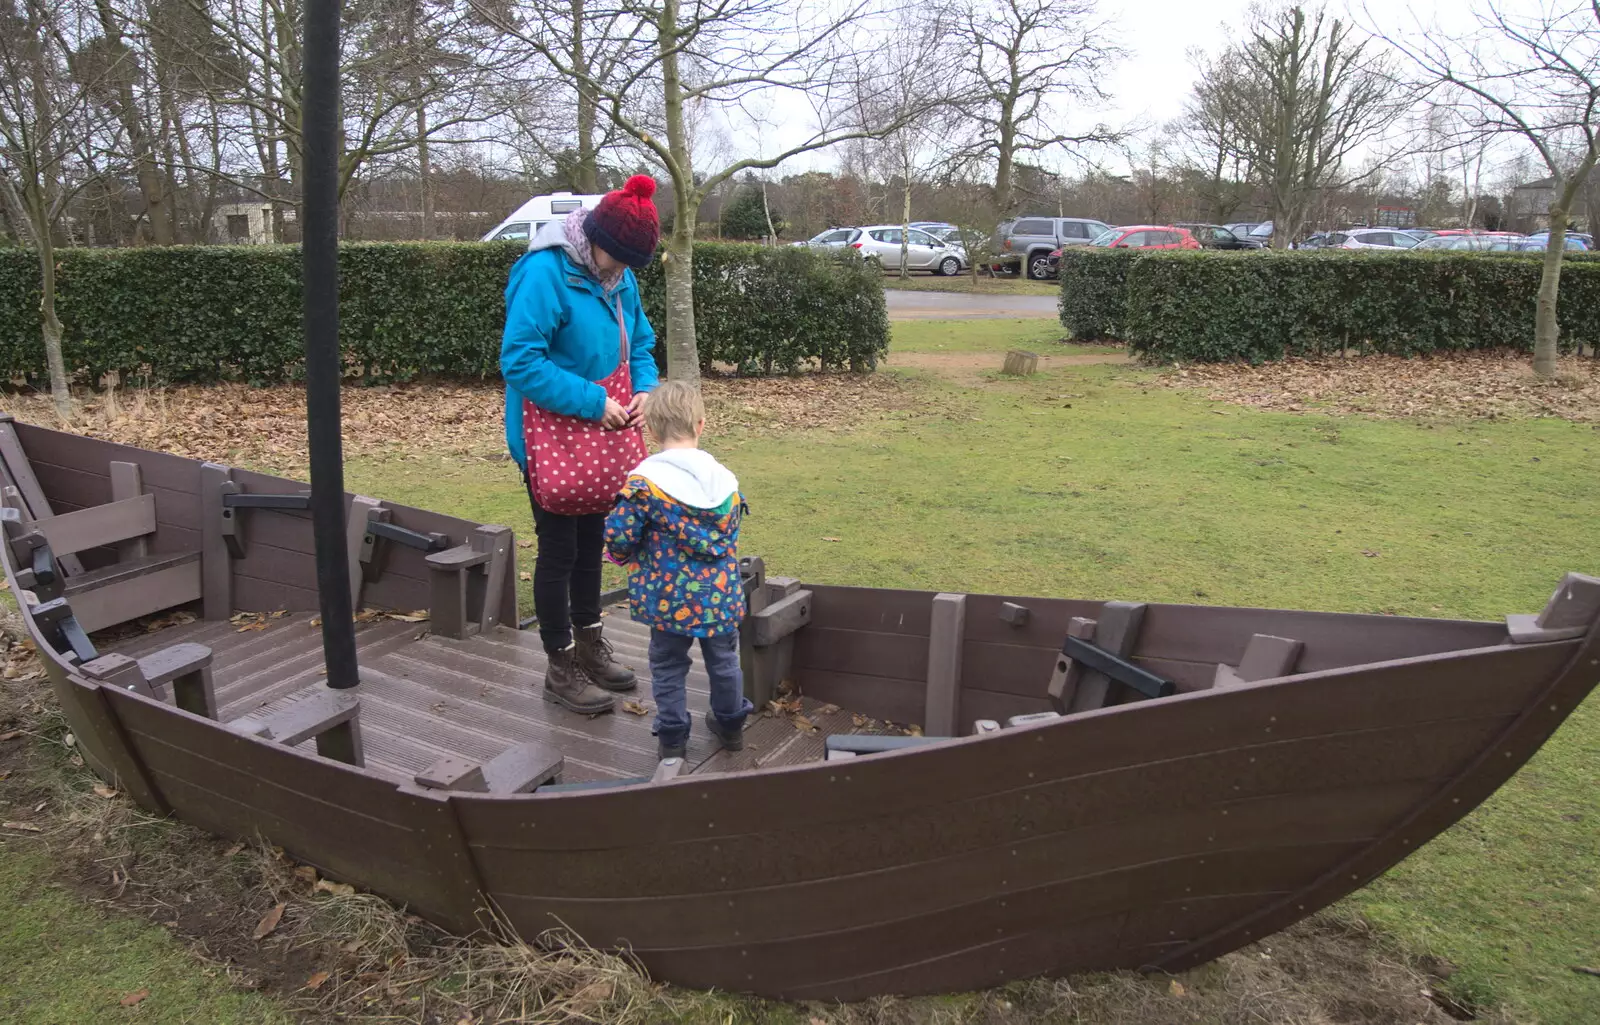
(1537, 79)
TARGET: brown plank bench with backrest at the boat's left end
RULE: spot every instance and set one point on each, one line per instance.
(137, 584)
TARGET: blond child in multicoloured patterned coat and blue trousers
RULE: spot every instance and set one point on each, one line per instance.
(676, 527)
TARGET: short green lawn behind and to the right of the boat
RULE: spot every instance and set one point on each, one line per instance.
(1095, 482)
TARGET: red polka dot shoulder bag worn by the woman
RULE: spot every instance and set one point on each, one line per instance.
(577, 466)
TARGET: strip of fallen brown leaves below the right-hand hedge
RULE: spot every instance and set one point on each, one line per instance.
(1463, 385)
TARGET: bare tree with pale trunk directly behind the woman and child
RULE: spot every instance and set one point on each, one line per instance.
(681, 58)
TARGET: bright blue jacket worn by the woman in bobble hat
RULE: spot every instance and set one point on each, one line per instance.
(562, 337)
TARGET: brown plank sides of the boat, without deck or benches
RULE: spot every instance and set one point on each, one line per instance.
(1151, 834)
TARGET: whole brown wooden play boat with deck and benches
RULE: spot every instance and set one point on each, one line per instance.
(1118, 786)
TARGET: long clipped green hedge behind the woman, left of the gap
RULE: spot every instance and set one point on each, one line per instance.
(198, 314)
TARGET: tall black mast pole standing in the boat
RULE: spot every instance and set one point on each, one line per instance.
(321, 233)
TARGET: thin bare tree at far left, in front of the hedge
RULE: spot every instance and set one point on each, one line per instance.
(47, 119)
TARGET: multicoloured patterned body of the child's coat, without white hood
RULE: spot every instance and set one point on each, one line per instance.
(682, 562)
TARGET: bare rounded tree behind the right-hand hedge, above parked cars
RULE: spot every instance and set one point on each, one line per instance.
(1310, 94)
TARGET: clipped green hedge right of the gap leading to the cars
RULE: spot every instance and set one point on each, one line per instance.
(1268, 306)
